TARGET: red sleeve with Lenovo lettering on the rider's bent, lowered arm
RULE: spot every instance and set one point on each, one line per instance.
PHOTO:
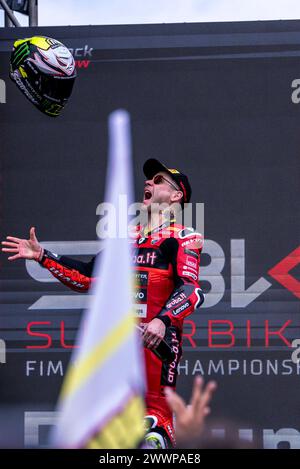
(184, 256)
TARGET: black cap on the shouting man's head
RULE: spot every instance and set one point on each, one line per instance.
(153, 166)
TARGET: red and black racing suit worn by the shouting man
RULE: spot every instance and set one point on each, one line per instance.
(166, 269)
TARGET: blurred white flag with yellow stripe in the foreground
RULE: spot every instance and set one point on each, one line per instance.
(101, 404)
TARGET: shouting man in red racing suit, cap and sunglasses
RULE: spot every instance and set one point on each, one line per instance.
(166, 267)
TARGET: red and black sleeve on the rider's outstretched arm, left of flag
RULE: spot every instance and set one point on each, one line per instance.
(73, 273)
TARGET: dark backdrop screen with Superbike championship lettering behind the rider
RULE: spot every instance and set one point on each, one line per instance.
(220, 102)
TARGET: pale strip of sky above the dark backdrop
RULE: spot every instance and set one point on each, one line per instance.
(80, 12)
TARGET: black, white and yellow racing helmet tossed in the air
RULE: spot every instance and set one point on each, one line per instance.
(44, 70)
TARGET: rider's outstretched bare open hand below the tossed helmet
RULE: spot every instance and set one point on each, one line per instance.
(23, 248)
